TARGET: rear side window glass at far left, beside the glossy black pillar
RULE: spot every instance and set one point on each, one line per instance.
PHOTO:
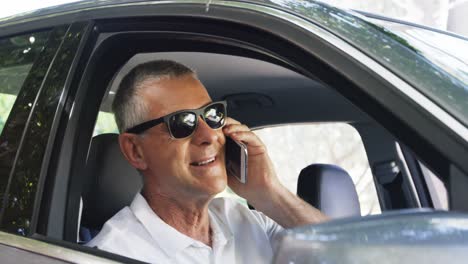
(17, 56)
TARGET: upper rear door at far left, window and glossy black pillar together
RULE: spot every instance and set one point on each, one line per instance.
(35, 69)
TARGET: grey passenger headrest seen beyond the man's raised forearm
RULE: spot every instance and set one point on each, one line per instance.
(330, 189)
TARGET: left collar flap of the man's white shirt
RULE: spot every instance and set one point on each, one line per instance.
(158, 229)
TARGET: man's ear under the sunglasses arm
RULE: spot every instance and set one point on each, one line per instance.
(130, 145)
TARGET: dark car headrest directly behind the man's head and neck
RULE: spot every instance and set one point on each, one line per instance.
(112, 181)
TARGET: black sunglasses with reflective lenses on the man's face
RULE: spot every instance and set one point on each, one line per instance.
(183, 123)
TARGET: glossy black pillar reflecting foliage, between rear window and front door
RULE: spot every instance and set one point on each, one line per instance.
(26, 139)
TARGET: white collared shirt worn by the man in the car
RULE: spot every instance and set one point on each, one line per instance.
(240, 235)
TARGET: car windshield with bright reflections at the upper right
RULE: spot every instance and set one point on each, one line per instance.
(415, 55)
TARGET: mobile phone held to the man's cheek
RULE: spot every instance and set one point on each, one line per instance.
(236, 159)
